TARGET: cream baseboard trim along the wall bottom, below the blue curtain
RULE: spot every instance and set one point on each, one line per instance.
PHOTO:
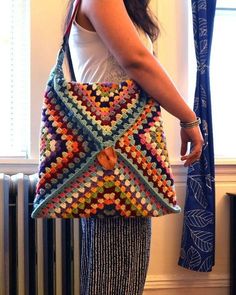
(156, 282)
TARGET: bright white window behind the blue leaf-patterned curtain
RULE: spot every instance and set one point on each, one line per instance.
(222, 71)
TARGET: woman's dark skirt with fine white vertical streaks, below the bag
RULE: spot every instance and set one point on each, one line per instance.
(114, 255)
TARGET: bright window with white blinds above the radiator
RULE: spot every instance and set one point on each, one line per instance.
(15, 78)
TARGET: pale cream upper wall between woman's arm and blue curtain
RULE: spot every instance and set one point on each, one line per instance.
(171, 48)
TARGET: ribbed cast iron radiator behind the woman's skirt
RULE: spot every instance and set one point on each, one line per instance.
(37, 256)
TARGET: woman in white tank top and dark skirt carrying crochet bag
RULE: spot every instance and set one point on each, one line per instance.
(111, 40)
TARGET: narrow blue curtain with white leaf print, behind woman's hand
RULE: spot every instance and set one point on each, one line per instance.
(198, 237)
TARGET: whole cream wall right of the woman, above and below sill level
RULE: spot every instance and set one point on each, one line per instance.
(165, 277)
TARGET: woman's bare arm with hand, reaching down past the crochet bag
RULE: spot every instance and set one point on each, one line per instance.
(112, 23)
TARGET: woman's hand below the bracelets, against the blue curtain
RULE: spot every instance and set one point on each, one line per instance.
(194, 136)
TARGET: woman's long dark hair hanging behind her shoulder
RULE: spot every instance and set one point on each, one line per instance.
(139, 13)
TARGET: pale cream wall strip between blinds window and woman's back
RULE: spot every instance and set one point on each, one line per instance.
(46, 29)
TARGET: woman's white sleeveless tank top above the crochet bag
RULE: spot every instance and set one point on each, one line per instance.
(92, 61)
